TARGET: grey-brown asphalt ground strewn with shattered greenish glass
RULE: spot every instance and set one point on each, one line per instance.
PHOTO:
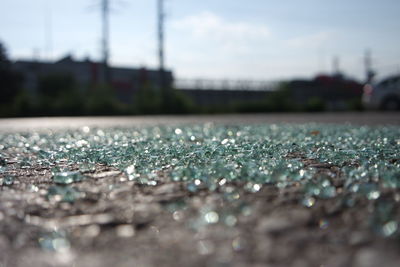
(56, 210)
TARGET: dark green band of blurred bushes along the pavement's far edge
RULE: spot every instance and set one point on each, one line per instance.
(59, 94)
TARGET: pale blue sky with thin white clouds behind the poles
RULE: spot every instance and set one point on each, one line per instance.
(215, 39)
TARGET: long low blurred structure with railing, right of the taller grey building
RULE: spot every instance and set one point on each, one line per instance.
(334, 92)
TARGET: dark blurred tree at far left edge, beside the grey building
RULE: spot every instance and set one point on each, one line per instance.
(10, 80)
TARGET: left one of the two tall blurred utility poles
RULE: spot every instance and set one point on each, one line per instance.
(105, 9)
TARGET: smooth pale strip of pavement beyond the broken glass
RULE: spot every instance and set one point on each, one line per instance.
(43, 123)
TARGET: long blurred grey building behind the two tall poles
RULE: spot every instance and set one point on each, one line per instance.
(87, 74)
